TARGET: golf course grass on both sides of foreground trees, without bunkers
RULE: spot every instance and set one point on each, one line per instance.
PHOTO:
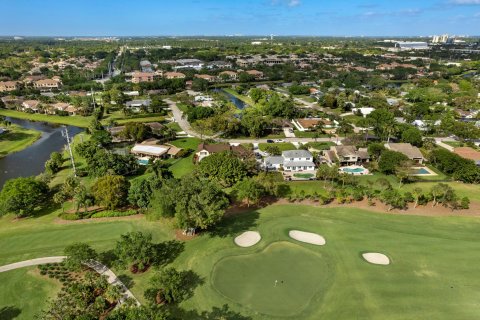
(433, 271)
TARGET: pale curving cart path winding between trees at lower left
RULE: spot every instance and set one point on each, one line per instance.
(95, 265)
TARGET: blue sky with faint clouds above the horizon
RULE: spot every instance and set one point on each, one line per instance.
(245, 17)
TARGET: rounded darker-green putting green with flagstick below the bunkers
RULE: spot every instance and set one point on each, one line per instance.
(299, 273)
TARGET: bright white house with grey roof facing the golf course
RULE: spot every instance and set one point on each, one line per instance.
(292, 160)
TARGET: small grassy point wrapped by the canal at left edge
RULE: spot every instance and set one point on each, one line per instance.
(17, 139)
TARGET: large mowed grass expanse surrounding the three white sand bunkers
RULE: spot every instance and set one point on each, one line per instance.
(433, 274)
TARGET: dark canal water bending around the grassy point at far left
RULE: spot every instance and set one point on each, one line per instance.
(31, 161)
